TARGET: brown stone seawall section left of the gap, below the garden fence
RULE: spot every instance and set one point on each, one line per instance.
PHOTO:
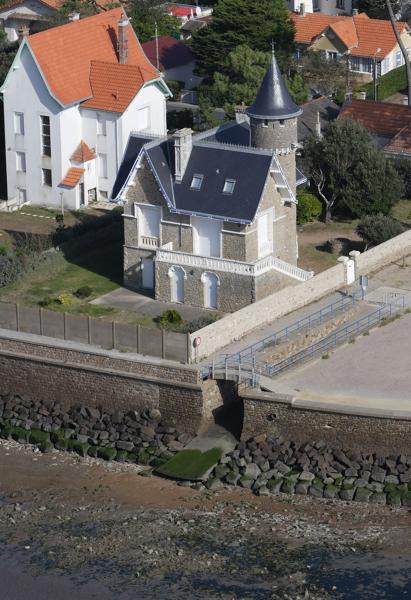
(54, 371)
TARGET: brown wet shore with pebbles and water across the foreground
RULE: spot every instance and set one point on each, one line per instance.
(72, 527)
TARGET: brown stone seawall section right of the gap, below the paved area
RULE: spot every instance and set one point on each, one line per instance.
(372, 433)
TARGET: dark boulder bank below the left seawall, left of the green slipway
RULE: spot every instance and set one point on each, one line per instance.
(132, 437)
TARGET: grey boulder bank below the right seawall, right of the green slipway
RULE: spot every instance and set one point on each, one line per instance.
(272, 465)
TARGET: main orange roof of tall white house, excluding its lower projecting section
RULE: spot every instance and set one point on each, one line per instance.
(65, 54)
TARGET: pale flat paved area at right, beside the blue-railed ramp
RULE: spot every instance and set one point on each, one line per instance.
(375, 371)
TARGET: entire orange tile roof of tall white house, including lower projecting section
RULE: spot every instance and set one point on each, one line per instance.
(79, 59)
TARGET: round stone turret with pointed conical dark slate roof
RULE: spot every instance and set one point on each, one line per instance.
(273, 120)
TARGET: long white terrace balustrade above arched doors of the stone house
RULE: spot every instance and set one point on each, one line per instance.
(260, 267)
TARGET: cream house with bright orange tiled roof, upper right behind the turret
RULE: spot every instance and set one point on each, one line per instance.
(357, 38)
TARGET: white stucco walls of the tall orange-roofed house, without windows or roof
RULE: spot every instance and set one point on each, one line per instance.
(26, 92)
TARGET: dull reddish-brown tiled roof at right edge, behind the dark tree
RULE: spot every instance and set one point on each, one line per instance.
(380, 118)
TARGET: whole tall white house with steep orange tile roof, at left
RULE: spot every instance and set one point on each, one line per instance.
(72, 97)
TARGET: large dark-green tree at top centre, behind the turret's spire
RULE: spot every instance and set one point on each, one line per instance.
(243, 22)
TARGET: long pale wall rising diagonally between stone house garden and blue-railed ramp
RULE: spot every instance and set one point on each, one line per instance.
(237, 325)
